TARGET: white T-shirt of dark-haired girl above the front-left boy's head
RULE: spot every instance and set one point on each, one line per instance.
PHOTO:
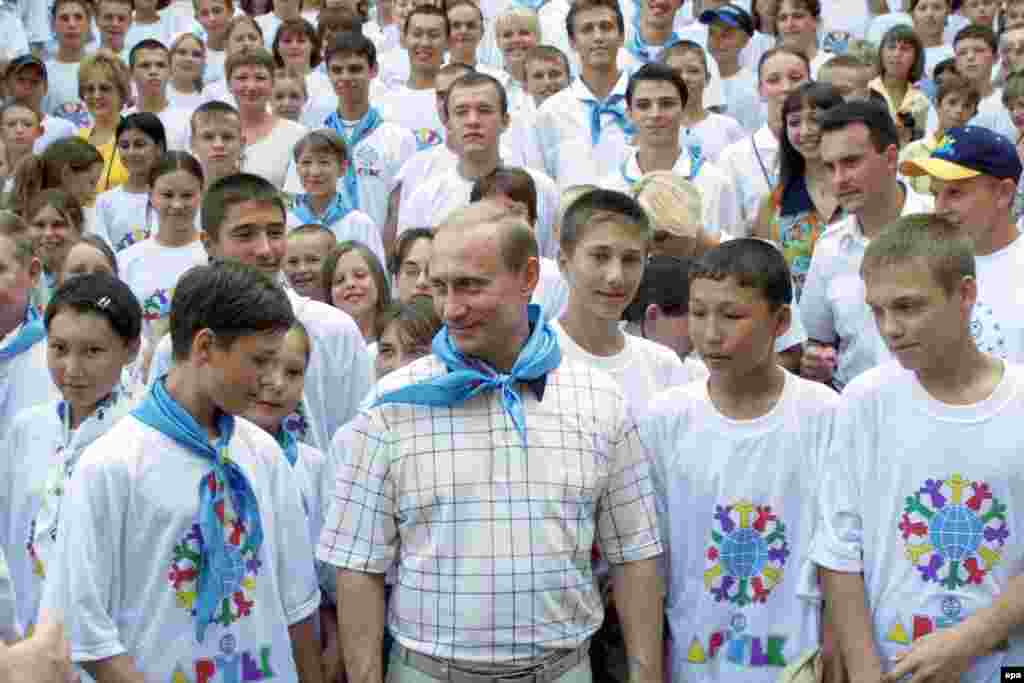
(152, 272)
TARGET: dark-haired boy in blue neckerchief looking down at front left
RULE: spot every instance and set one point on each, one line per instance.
(184, 550)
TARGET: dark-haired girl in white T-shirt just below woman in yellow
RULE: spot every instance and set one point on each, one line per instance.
(123, 214)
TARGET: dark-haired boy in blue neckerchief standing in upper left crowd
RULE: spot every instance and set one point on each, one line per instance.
(378, 148)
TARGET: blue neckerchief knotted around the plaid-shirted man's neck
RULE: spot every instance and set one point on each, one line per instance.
(468, 377)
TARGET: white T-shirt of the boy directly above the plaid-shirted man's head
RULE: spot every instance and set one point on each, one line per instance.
(435, 200)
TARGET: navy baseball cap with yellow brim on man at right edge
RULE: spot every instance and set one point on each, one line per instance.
(968, 153)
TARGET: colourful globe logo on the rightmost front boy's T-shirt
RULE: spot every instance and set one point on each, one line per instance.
(954, 531)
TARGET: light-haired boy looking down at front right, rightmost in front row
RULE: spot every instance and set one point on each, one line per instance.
(919, 567)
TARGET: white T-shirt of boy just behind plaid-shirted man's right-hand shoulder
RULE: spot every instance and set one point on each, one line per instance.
(644, 369)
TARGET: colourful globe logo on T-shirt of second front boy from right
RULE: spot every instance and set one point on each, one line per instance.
(747, 554)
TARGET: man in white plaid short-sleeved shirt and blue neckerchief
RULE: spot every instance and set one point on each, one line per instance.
(485, 475)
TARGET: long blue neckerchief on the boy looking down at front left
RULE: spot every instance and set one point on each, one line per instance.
(221, 569)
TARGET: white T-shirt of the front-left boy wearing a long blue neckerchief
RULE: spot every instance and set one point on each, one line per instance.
(129, 547)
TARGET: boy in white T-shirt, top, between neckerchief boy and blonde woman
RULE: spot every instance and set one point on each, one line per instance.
(412, 106)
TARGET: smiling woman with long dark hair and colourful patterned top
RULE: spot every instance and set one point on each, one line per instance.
(800, 207)
